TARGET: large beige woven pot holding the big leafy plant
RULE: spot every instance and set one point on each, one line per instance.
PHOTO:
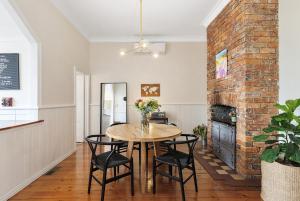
(280, 182)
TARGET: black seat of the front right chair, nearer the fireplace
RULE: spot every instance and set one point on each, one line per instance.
(171, 157)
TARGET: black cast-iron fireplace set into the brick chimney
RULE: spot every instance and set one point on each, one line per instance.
(223, 132)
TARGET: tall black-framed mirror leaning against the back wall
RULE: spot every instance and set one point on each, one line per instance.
(113, 104)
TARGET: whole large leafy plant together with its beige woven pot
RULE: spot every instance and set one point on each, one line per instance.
(281, 157)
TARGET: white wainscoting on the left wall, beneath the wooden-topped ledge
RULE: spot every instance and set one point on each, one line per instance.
(28, 152)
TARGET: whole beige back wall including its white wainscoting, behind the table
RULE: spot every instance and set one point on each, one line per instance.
(181, 74)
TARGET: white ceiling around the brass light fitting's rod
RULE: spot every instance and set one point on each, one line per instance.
(118, 20)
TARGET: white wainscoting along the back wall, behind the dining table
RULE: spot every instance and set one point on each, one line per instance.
(185, 116)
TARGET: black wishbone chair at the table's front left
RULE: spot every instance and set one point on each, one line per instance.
(107, 160)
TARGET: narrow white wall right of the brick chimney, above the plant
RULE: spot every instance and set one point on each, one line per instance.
(289, 43)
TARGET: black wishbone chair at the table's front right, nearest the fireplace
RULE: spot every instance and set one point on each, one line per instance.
(177, 159)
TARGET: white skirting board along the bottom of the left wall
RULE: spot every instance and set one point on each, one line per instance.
(31, 179)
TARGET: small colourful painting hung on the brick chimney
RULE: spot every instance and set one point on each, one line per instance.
(221, 64)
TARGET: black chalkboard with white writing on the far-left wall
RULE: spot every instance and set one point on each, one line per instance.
(9, 71)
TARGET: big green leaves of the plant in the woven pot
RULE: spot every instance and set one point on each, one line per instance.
(282, 136)
